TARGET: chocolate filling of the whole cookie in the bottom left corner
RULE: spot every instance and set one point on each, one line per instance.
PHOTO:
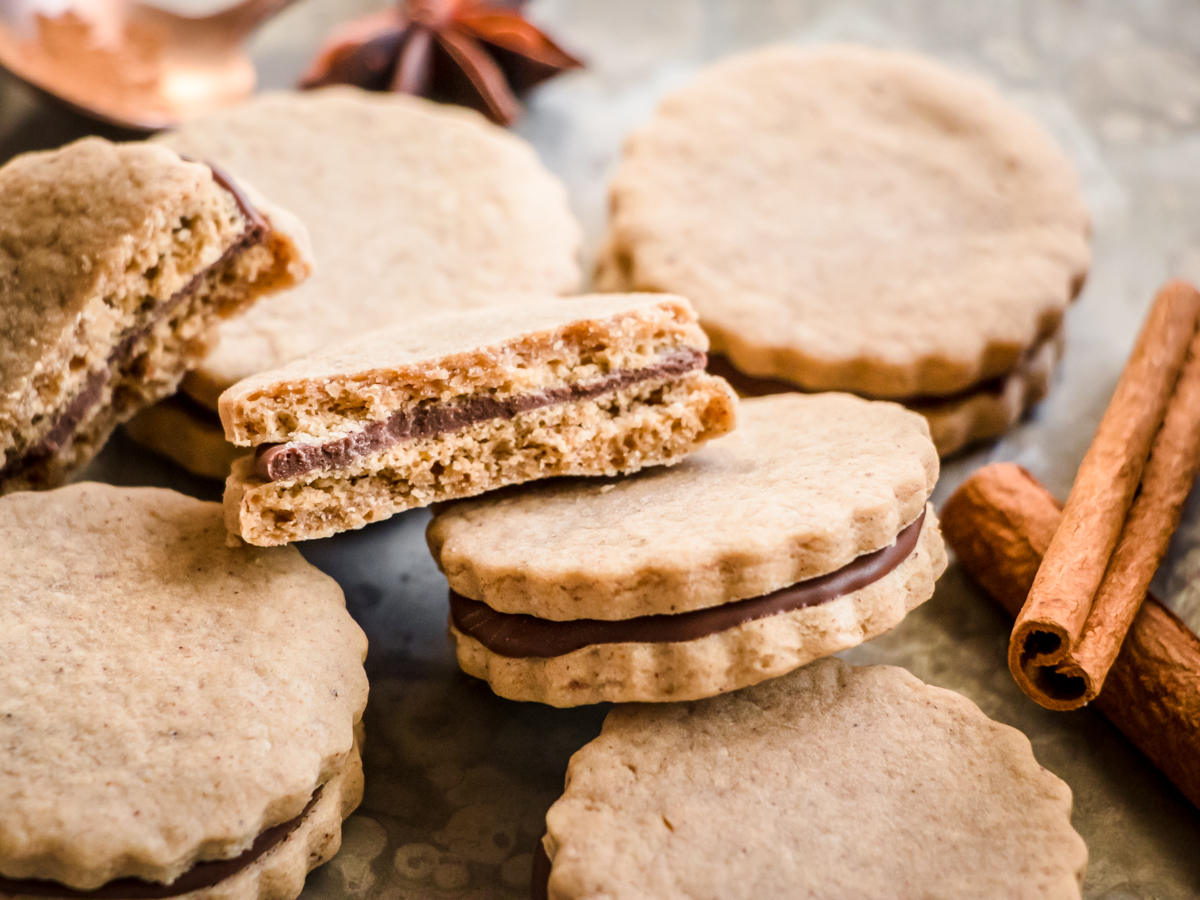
(202, 875)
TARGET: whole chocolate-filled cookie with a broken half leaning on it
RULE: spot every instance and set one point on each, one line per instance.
(806, 532)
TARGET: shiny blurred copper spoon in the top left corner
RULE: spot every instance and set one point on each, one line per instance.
(130, 64)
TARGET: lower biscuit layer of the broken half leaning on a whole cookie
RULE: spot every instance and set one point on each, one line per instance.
(650, 424)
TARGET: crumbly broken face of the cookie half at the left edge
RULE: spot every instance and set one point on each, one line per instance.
(137, 335)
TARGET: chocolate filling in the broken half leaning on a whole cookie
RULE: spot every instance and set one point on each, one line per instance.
(278, 463)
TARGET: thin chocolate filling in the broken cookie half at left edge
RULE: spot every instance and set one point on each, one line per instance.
(80, 409)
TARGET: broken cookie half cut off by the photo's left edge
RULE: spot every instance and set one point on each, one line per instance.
(117, 262)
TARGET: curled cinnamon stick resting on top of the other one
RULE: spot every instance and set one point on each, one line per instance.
(1099, 565)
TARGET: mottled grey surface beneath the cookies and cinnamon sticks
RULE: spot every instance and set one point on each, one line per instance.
(459, 781)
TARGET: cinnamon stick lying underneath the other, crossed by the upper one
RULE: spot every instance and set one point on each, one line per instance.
(1000, 523)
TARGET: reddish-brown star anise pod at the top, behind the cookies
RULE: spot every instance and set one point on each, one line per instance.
(465, 52)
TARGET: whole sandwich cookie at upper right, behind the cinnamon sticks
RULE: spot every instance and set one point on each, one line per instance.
(860, 220)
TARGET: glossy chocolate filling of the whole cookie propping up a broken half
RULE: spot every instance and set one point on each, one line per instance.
(530, 638)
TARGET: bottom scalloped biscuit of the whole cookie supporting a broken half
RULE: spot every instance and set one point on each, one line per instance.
(723, 662)
